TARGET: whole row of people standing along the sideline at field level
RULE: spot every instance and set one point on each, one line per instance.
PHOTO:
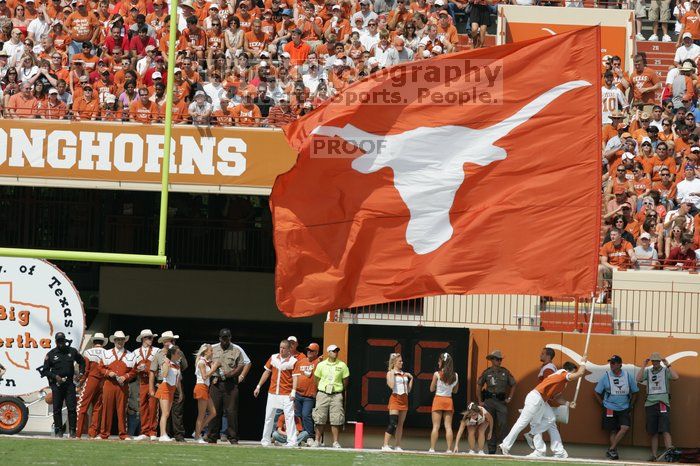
(306, 391)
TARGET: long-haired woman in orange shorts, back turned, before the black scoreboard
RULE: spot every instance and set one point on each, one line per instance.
(445, 382)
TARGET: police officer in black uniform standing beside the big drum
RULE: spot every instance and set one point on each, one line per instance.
(59, 368)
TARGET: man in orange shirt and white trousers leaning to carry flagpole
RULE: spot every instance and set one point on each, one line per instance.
(534, 412)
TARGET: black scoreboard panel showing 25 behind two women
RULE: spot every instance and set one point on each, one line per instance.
(420, 347)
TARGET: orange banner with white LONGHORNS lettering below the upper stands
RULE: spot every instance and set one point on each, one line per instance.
(119, 155)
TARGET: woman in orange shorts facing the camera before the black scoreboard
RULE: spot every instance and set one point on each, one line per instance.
(400, 383)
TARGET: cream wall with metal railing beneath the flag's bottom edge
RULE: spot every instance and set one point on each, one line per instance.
(623, 312)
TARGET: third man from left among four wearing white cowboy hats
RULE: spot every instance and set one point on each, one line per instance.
(148, 405)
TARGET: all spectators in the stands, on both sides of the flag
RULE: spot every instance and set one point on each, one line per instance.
(267, 62)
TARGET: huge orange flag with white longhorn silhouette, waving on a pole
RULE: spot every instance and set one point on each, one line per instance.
(475, 172)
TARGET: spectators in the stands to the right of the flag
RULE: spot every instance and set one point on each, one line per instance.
(651, 172)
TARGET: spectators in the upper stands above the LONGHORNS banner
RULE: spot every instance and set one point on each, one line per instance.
(240, 62)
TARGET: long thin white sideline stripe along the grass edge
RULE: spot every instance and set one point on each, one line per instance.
(248, 443)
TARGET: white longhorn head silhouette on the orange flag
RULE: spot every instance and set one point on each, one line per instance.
(428, 164)
